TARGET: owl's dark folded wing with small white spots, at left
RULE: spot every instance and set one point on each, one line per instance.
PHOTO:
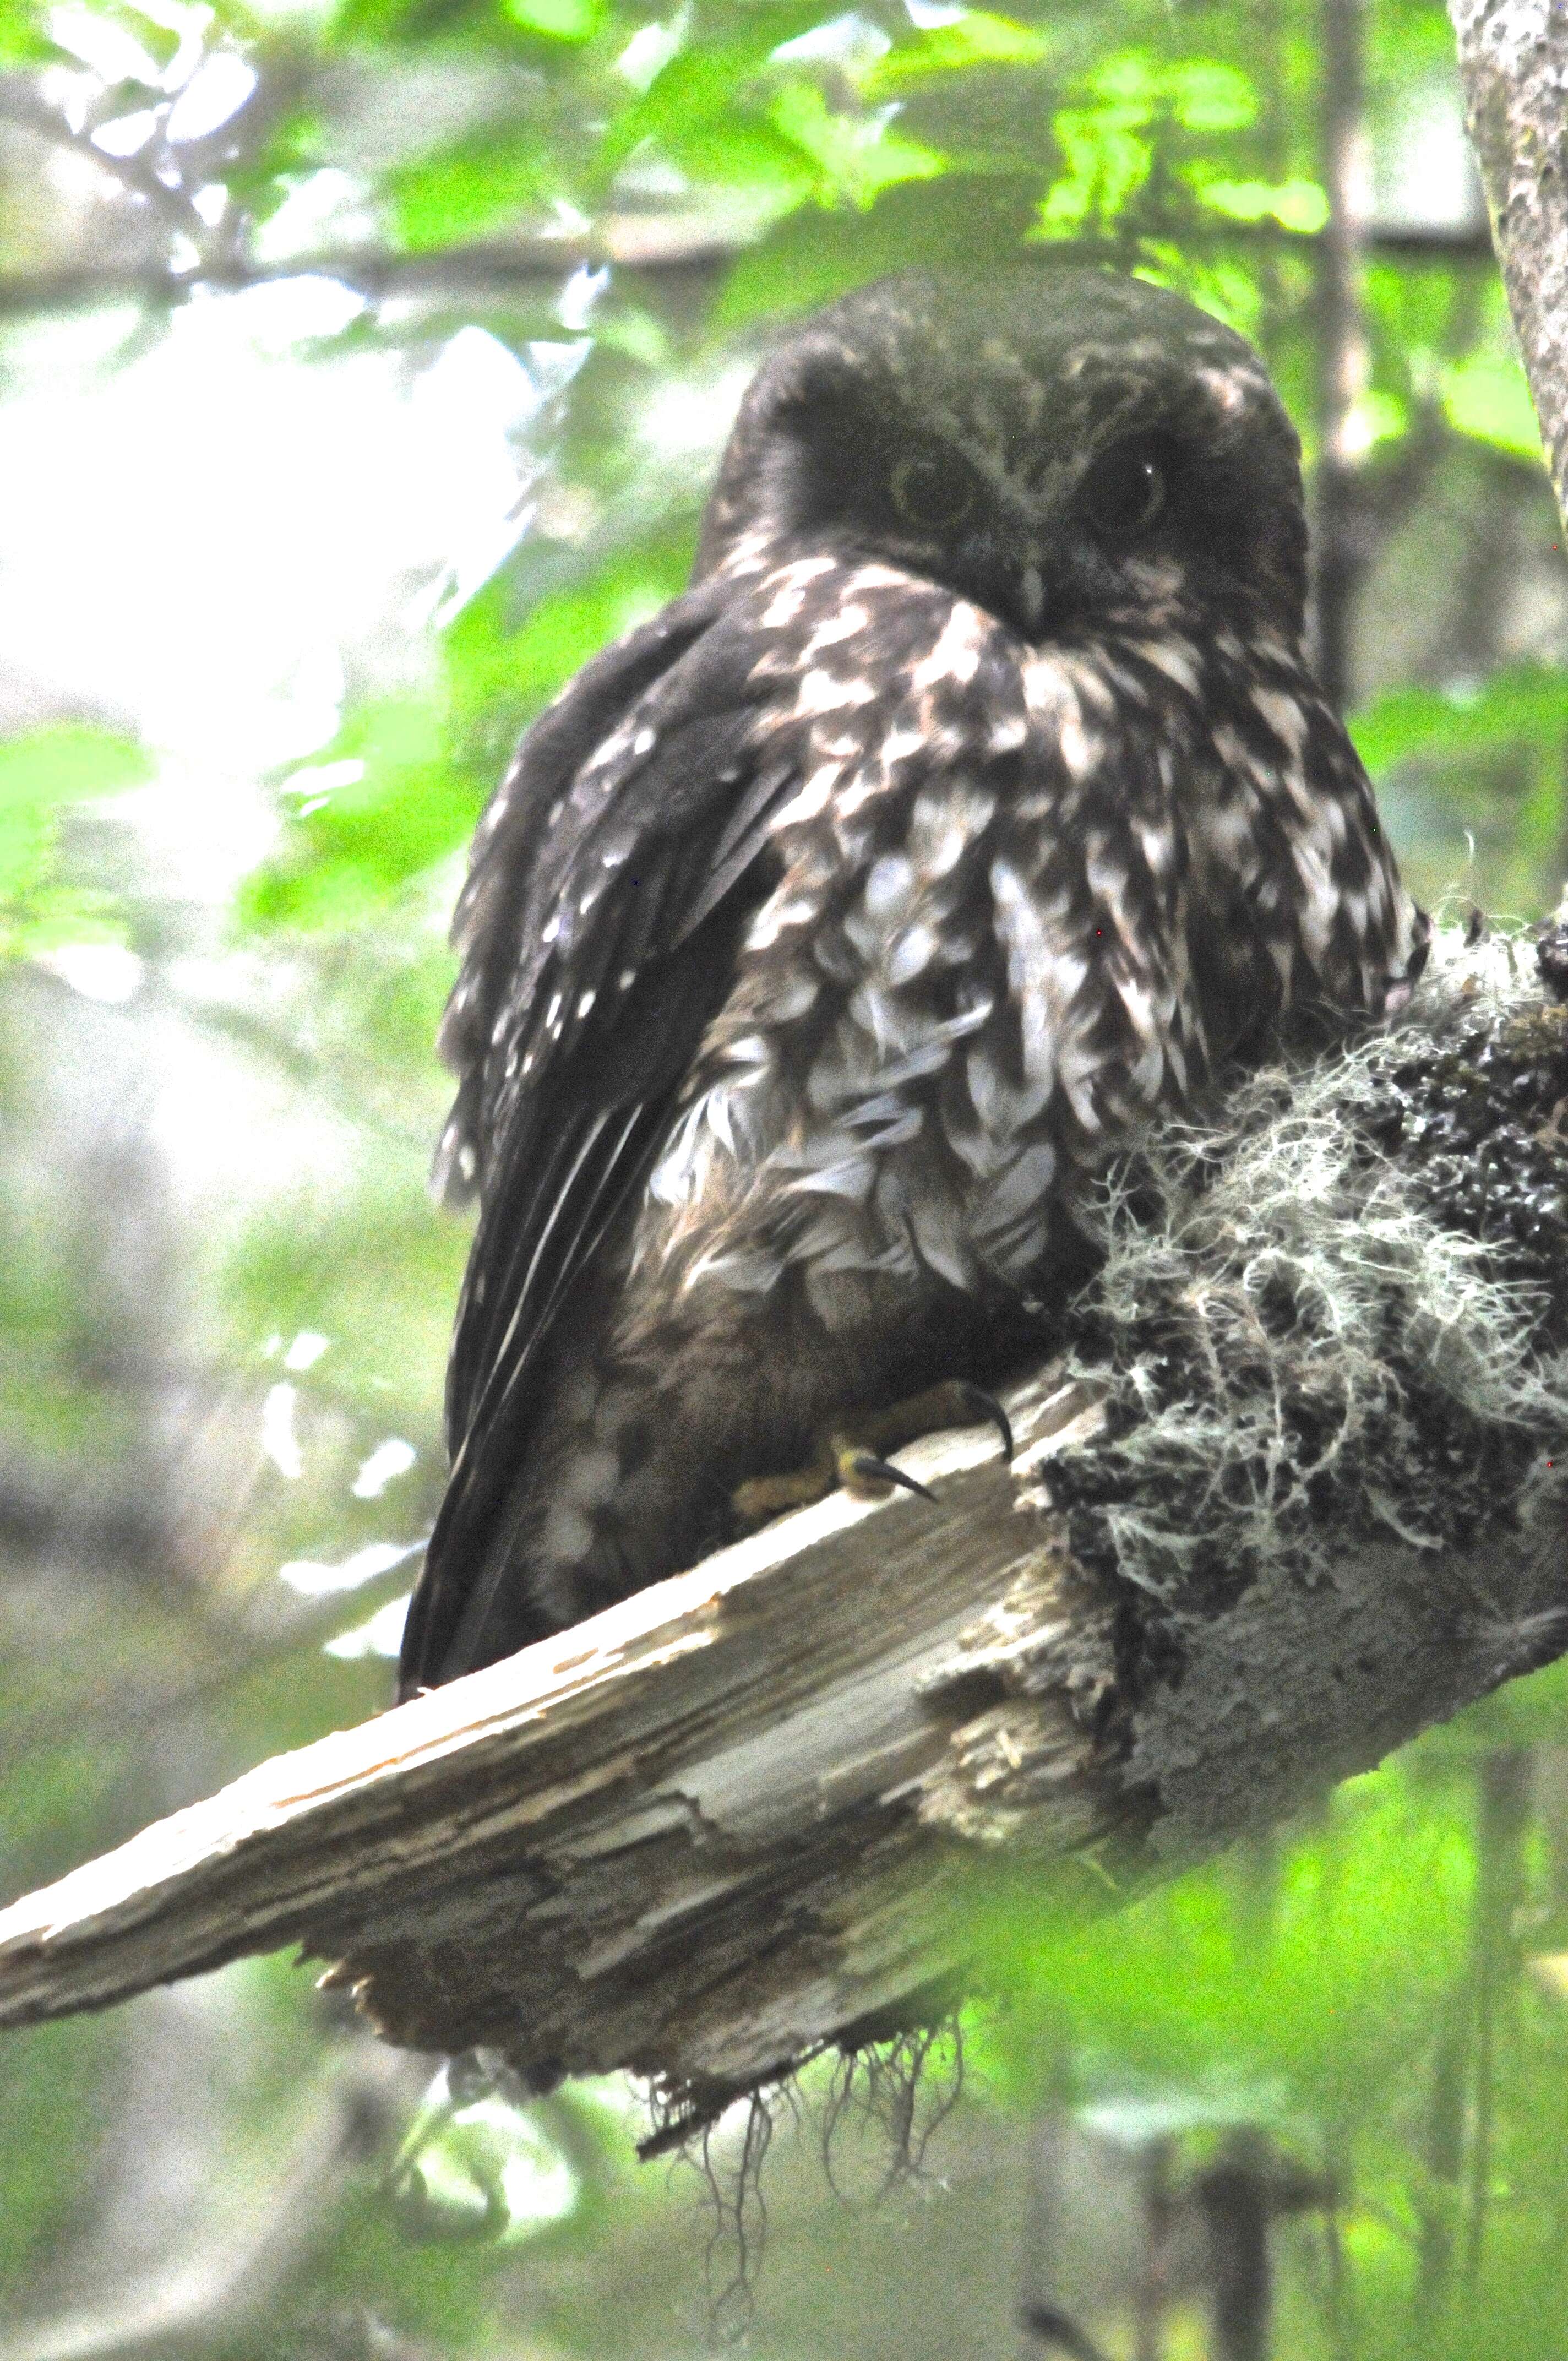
(613, 875)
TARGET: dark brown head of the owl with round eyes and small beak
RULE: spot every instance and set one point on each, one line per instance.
(1061, 447)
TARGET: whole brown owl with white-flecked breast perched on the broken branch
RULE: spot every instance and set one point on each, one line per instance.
(832, 929)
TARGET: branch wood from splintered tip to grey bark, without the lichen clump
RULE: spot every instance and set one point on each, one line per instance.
(731, 1822)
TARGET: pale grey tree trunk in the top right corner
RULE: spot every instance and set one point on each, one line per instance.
(1515, 65)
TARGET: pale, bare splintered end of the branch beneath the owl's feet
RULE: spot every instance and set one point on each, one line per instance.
(698, 1836)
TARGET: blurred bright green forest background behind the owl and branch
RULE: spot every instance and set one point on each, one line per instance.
(360, 374)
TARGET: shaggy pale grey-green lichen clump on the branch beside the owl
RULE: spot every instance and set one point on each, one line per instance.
(1338, 1312)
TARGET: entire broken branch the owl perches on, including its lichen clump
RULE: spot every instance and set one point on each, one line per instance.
(731, 1822)
